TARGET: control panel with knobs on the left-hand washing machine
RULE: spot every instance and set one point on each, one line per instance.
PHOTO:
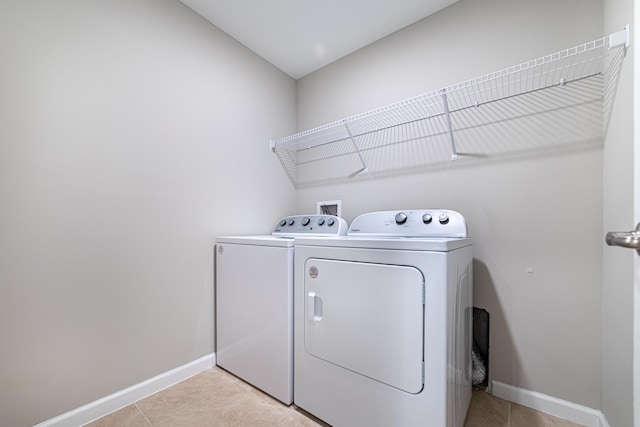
(311, 225)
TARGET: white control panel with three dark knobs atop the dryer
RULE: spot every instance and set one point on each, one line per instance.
(410, 223)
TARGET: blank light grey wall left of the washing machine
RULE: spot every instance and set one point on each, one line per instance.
(131, 134)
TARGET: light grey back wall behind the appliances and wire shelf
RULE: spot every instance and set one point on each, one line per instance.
(542, 212)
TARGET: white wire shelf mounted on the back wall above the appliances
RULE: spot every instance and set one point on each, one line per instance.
(564, 96)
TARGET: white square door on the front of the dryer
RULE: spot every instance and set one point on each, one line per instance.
(367, 318)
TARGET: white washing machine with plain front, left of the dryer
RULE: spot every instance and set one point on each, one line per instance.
(254, 302)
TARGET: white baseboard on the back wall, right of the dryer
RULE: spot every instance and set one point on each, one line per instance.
(574, 412)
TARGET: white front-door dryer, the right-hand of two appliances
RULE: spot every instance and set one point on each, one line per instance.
(383, 321)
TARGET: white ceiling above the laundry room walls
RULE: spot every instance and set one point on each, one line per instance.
(301, 36)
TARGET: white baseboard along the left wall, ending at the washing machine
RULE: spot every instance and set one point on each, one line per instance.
(118, 400)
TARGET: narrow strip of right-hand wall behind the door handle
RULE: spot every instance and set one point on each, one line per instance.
(617, 290)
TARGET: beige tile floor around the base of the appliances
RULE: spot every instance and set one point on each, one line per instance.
(217, 398)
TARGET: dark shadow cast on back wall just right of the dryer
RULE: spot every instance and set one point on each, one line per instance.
(503, 360)
